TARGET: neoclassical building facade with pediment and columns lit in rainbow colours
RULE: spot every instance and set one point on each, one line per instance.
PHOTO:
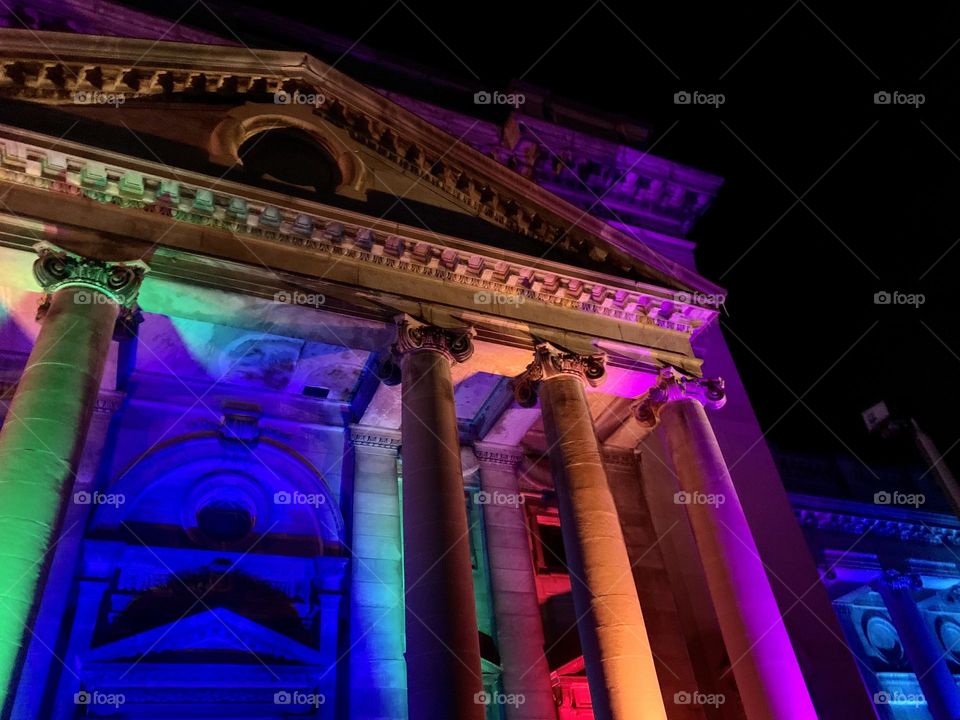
(324, 400)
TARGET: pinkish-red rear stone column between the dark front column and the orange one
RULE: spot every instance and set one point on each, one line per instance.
(516, 605)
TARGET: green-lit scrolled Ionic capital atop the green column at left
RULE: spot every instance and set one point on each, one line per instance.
(56, 268)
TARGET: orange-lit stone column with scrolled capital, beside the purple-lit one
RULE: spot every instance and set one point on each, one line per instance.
(616, 649)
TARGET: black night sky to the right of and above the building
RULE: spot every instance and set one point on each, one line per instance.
(829, 197)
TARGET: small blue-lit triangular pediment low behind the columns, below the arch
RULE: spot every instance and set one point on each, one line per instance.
(214, 630)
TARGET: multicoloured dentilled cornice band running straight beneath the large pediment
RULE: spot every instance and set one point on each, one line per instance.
(507, 278)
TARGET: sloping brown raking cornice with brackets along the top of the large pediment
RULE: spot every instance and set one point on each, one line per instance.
(61, 64)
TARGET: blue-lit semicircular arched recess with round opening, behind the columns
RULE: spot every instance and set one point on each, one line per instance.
(223, 493)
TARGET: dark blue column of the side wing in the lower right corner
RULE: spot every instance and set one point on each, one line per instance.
(927, 657)
